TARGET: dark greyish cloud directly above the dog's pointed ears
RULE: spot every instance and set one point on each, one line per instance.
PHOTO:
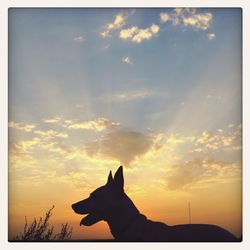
(123, 145)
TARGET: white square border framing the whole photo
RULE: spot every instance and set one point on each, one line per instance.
(5, 4)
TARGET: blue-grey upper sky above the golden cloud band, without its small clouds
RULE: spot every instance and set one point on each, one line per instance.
(52, 73)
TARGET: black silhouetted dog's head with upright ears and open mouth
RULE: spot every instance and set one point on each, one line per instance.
(102, 201)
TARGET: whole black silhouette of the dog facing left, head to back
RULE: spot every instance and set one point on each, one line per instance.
(111, 204)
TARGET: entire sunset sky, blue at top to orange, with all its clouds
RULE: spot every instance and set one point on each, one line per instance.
(155, 90)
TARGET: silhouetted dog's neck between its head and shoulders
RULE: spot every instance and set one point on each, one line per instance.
(120, 219)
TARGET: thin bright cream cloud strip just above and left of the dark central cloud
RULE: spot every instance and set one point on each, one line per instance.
(99, 124)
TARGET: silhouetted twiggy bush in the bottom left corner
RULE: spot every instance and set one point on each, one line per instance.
(39, 230)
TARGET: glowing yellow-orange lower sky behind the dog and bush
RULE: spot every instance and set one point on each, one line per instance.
(147, 187)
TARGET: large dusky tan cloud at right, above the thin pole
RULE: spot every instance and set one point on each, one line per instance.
(201, 172)
